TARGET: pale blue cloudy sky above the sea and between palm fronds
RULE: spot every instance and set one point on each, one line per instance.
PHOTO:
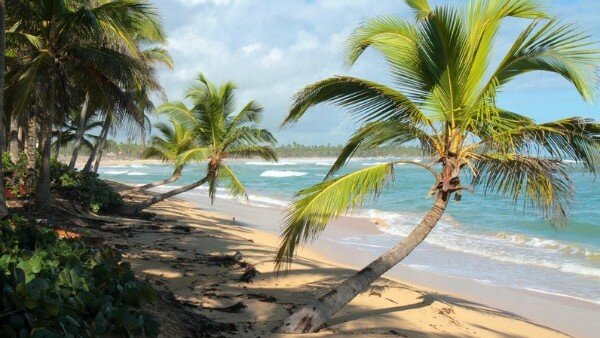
(273, 48)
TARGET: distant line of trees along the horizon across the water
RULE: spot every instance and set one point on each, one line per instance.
(127, 150)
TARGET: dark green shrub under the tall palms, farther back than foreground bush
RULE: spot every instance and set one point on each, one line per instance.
(84, 188)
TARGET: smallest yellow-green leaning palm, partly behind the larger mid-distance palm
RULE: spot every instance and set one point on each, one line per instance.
(176, 140)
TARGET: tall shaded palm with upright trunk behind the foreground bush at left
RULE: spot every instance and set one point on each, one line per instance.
(65, 46)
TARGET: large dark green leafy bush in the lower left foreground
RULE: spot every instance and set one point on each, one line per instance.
(61, 288)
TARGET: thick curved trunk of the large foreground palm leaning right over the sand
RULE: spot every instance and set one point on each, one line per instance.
(313, 317)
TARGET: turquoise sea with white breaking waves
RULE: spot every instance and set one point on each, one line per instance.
(482, 237)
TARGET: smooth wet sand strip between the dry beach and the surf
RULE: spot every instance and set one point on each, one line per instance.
(557, 311)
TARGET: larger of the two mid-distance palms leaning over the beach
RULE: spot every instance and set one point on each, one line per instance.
(218, 134)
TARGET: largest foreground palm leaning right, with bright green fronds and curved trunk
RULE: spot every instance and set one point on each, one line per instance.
(444, 100)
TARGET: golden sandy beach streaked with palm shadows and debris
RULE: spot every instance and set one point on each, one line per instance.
(187, 251)
